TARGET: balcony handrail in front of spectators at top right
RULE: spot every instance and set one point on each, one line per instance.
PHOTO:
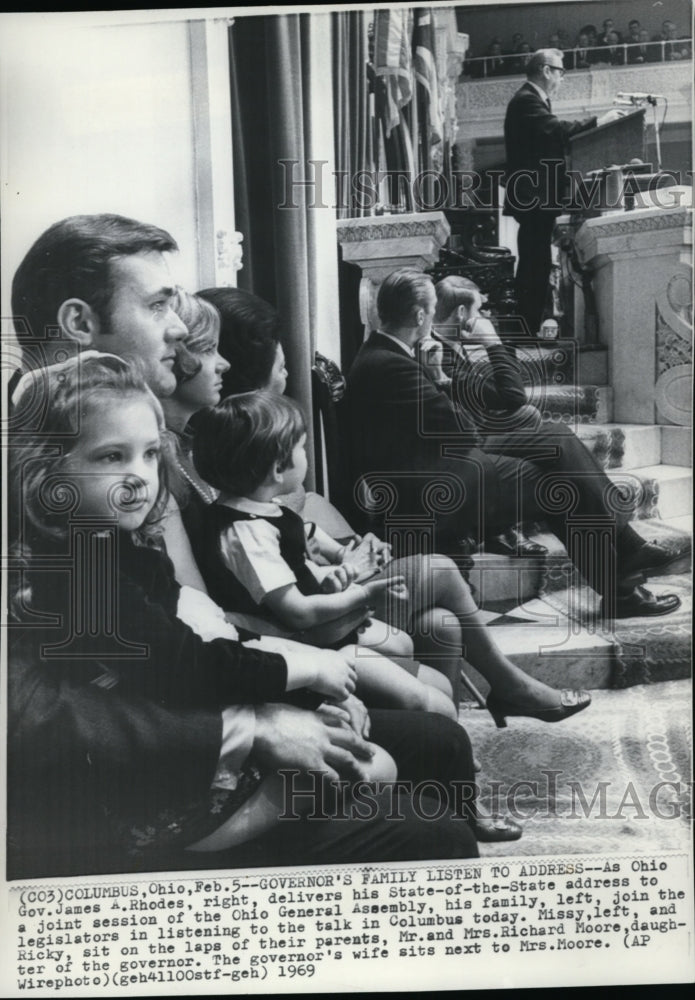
(513, 62)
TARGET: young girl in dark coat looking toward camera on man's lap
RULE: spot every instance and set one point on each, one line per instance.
(90, 495)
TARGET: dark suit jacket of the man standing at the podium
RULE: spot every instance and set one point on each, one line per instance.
(536, 142)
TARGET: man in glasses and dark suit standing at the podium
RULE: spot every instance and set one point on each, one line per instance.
(535, 142)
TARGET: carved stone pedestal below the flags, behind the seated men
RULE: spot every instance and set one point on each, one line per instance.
(380, 244)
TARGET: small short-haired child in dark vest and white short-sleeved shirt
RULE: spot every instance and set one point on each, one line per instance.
(251, 448)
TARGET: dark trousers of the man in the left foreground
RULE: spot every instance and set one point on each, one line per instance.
(395, 827)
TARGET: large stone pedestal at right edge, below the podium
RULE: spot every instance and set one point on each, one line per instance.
(642, 276)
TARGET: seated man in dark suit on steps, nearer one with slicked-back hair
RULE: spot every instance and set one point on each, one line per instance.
(405, 431)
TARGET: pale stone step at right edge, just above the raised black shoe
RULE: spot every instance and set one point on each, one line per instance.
(662, 491)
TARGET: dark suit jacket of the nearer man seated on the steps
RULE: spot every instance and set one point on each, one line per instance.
(397, 423)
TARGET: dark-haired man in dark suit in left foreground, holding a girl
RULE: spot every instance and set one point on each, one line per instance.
(103, 282)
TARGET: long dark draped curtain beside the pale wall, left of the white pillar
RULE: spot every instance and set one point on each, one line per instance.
(271, 90)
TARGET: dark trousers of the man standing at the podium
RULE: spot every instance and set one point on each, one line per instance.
(533, 266)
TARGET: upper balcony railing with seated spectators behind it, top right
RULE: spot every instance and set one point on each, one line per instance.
(624, 54)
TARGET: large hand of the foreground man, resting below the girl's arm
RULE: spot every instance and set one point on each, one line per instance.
(289, 737)
